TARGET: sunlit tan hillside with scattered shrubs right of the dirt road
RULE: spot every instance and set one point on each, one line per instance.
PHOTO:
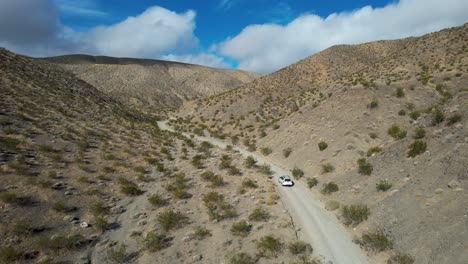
(385, 121)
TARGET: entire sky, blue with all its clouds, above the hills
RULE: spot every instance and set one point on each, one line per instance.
(255, 35)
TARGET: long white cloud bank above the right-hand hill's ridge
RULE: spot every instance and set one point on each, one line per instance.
(269, 47)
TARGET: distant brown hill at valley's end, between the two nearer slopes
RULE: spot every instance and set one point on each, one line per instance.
(152, 84)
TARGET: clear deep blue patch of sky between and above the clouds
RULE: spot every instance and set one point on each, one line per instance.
(216, 19)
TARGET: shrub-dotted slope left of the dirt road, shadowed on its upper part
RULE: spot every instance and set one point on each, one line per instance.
(87, 179)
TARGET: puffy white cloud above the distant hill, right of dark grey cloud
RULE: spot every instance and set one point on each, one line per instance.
(152, 33)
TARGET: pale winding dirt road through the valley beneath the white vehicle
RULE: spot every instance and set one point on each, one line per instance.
(317, 226)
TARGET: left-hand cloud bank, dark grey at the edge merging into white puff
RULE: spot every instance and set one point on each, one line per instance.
(151, 34)
